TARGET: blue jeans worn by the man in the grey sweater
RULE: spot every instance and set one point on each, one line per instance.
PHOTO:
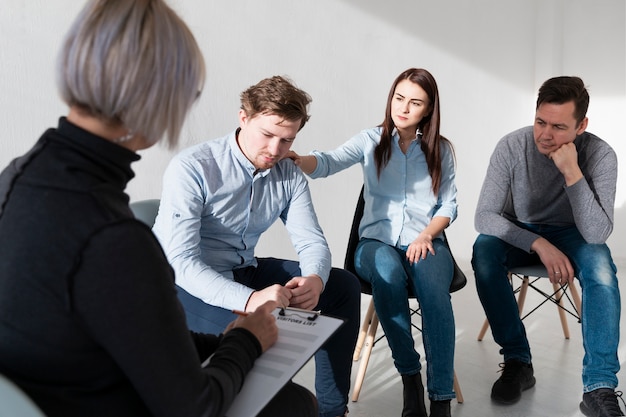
(600, 314)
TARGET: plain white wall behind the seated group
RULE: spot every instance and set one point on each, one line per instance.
(489, 58)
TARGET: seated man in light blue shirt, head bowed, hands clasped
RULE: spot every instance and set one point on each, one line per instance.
(220, 196)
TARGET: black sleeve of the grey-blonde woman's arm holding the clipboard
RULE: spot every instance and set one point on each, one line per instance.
(124, 293)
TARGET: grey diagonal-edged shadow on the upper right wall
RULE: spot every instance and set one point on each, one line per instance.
(502, 42)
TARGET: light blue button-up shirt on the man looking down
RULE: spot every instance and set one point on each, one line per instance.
(214, 209)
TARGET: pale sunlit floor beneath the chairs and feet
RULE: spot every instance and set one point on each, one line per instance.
(556, 360)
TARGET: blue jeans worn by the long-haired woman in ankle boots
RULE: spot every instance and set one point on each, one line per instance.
(393, 279)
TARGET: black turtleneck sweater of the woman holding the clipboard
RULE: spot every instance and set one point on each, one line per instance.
(90, 324)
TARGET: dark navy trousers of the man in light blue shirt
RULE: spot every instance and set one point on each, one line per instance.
(341, 298)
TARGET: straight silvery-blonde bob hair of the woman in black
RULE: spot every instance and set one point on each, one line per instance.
(133, 63)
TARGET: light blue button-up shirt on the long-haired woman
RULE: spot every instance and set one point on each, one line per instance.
(400, 204)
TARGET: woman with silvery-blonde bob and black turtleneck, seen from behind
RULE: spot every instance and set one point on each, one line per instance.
(90, 324)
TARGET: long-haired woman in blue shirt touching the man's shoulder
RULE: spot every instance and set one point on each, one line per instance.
(410, 198)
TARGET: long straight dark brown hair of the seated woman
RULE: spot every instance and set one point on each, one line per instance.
(429, 126)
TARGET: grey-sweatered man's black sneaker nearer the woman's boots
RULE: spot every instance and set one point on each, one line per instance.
(516, 377)
